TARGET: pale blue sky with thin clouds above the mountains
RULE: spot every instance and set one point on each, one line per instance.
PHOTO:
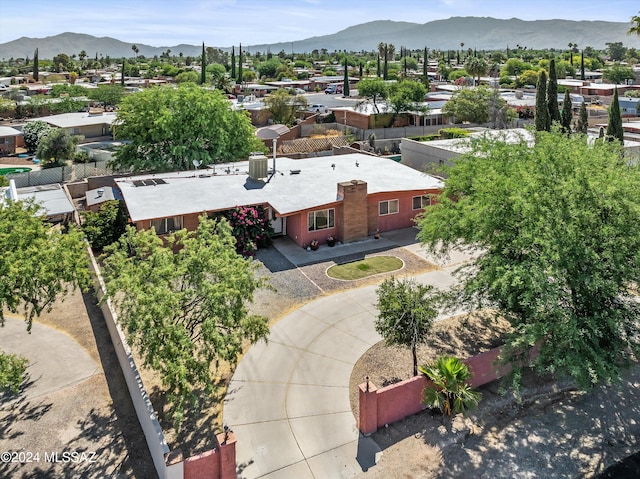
(229, 22)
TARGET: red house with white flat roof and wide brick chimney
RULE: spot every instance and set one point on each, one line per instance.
(348, 197)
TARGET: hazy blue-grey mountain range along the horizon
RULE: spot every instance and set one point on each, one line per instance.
(482, 33)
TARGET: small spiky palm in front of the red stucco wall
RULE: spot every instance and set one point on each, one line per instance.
(451, 393)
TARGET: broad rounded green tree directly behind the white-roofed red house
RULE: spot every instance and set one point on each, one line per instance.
(169, 128)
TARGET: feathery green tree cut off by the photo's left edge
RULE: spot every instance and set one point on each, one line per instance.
(39, 263)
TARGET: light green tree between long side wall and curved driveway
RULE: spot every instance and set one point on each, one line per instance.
(183, 303)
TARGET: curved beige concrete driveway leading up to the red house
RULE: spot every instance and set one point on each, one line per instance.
(288, 401)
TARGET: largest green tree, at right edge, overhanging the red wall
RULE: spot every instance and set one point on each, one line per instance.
(557, 226)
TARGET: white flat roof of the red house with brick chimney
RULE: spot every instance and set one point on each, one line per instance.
(297, 185)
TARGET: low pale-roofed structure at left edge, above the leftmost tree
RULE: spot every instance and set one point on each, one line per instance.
(53, 199)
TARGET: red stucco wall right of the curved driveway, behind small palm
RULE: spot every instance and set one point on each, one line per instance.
(379, 407)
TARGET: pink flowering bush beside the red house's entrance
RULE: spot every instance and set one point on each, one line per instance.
(251, 228)
